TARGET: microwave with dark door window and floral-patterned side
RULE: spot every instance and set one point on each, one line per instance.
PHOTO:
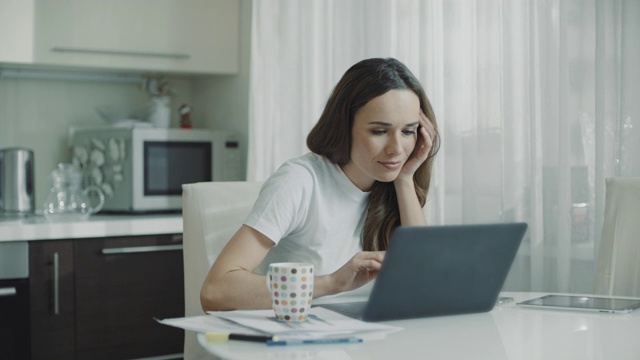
(143, 169)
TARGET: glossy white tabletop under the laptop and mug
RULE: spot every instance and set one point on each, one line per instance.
(507, 332)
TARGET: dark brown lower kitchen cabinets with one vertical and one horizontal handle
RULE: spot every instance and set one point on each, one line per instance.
(109, 291)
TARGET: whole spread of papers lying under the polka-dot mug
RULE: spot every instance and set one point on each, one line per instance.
(321, 323)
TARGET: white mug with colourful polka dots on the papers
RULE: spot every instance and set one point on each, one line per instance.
(291, 287)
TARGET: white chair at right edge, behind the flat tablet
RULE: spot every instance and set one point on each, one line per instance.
(618, 262)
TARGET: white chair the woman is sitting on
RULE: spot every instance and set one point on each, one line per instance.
(212, 213)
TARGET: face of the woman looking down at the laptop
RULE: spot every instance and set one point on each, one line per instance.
(383, 136)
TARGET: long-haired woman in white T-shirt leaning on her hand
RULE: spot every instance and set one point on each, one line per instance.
(368, 172)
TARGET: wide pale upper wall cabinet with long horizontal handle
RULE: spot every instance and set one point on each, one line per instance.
(178, 36)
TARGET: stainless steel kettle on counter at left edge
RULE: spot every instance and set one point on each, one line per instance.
(16, 181)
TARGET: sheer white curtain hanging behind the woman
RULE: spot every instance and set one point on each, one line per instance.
(536, 103)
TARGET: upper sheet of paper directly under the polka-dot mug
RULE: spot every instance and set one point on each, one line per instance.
(321, 322)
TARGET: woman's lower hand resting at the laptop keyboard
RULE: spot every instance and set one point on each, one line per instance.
(362, 268)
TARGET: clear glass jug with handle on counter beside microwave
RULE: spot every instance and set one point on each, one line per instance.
(67, 200)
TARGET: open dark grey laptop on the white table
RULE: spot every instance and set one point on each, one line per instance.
(439, 270)
